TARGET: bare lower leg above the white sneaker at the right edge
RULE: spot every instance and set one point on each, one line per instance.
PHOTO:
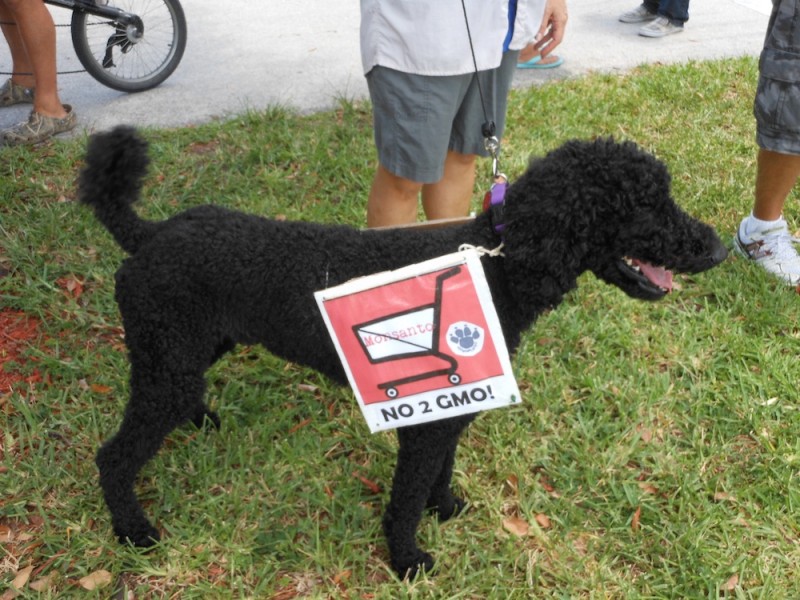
(777, 175)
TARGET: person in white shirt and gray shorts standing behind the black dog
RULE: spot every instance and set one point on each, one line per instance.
(423, 64)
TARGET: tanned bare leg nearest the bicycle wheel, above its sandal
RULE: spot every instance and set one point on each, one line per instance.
(38, 34)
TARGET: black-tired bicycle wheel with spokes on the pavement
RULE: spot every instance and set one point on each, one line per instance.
(131, 57)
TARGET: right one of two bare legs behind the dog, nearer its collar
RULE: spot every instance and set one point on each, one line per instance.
(450, 197)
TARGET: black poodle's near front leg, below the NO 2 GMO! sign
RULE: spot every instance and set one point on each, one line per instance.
(424, 461)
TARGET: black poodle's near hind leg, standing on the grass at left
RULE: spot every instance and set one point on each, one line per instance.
(158, 404)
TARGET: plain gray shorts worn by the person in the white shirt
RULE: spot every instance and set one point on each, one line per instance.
(418, 118)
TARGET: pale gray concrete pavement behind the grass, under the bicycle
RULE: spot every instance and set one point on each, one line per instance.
(249, 55)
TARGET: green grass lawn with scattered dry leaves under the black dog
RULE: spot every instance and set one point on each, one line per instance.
(660, 440)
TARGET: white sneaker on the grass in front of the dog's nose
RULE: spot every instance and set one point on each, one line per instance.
(773, 249)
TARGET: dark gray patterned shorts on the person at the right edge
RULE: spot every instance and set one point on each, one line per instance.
(777, 103)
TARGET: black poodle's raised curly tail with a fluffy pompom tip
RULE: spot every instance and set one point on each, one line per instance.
(116, 163)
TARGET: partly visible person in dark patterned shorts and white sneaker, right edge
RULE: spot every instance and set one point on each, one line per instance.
(764, 235)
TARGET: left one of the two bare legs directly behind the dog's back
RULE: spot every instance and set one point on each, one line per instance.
(392, 200)
